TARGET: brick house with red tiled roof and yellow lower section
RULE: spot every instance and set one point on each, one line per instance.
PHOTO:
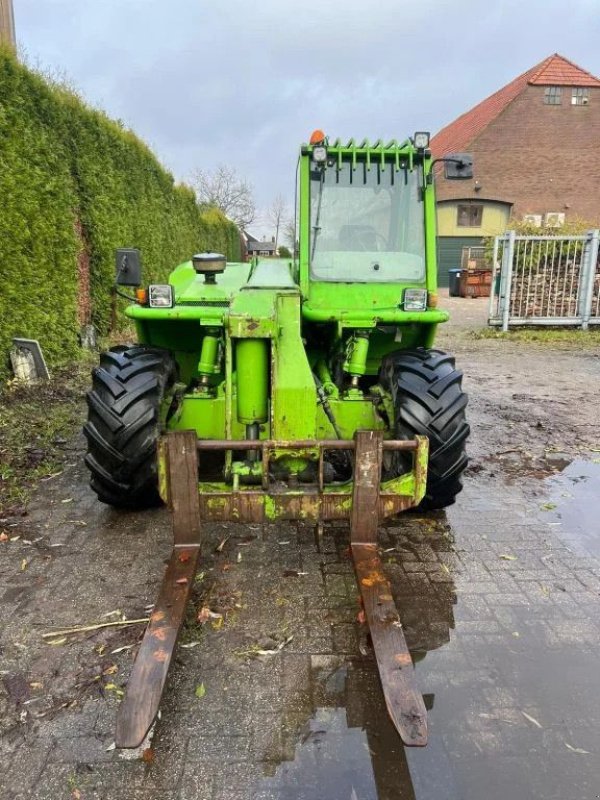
(536, 148)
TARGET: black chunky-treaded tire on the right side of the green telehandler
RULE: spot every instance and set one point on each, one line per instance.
(428, 400)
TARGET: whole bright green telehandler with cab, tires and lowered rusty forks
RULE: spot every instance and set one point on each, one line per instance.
(291, 389)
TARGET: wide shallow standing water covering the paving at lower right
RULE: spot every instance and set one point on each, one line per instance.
(503, 722)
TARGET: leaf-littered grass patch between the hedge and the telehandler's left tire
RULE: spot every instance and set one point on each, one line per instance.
(37, 424)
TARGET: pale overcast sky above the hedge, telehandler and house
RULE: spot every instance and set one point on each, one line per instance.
(244, 83)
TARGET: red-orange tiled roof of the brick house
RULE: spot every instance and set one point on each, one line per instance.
(552, 71)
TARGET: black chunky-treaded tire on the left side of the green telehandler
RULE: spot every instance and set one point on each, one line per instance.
(124, 422)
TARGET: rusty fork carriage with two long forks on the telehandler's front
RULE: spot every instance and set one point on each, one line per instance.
(364, 502)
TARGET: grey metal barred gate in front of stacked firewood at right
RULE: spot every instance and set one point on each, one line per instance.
(545, 280)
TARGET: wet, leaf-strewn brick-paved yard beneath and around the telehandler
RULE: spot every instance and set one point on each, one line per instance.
(508, 649)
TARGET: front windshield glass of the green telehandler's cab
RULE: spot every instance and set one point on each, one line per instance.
(366, 224)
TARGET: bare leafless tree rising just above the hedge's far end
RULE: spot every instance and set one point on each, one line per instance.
(225, 189)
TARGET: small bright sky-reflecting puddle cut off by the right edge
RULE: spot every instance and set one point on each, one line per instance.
(574, 506)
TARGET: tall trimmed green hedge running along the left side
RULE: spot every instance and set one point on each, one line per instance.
(75, 185)
